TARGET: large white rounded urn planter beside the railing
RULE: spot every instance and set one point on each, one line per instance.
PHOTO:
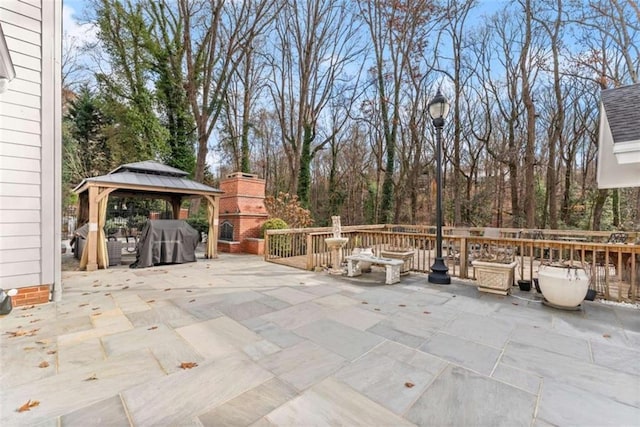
(563, 286)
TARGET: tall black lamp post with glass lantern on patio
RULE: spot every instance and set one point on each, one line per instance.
(438, 110)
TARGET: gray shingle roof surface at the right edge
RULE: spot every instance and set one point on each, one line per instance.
(622, 106)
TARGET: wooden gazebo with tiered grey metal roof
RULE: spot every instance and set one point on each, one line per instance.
(147, 179)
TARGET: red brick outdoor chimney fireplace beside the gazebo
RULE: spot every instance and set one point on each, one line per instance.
(242, 213)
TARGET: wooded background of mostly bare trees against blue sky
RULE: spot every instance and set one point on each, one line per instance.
(327, 99)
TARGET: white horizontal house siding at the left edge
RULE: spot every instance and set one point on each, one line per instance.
(30, 145)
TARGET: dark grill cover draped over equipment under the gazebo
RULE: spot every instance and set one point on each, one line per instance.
(166, 241)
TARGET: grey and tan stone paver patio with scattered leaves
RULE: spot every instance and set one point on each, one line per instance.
(279, 346)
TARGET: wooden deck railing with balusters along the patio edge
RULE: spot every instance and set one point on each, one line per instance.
(614, 267)
